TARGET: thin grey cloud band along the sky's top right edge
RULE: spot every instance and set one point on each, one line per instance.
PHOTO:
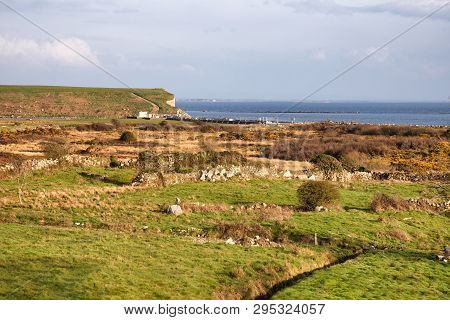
(414, 8)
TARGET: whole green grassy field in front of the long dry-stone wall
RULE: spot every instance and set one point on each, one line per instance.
(79, 234)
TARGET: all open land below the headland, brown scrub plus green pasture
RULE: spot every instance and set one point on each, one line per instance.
(85, 232)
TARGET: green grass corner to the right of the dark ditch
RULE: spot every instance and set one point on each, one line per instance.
(380, 275)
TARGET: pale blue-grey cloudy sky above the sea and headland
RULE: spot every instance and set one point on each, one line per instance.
(233, 49)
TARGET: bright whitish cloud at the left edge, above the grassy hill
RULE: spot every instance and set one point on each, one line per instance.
(47, 51)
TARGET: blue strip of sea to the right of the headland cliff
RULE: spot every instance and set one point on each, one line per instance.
(408, 113)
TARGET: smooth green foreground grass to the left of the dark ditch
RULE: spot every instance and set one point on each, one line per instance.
(53, 263)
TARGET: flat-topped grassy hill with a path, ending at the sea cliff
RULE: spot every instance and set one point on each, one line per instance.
(46, 101)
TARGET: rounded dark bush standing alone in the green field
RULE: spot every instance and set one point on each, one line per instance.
(312, 194)
